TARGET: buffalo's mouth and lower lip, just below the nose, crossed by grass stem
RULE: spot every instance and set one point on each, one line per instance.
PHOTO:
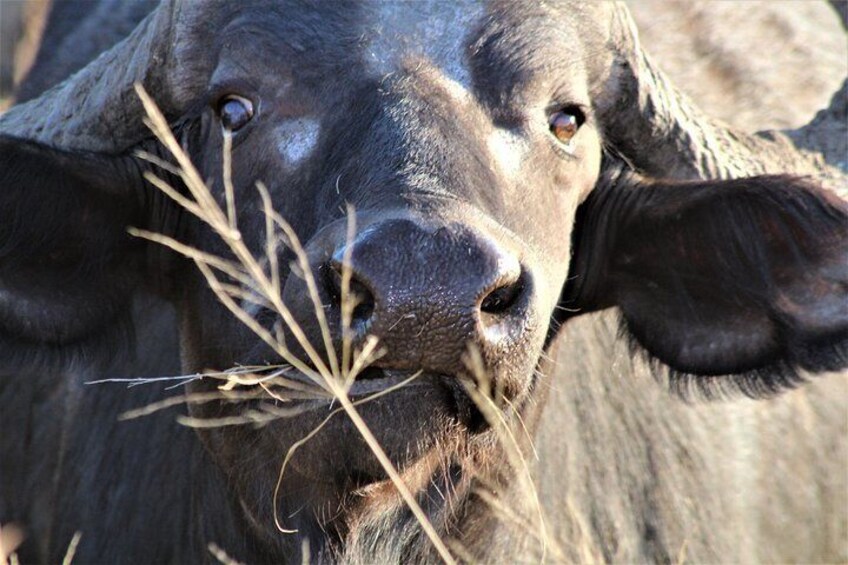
(409, 412)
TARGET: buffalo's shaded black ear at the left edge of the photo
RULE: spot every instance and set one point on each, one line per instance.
(66, 260)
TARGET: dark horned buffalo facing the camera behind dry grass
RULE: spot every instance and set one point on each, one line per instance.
(513, 169)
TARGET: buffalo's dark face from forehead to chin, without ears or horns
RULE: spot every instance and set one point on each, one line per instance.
(463, 196)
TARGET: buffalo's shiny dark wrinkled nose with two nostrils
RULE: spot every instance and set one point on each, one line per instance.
(427, 293)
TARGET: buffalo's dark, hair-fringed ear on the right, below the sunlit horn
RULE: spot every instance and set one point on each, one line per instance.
(744, 277)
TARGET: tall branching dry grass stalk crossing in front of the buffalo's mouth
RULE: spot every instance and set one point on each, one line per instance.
(323, 371)
